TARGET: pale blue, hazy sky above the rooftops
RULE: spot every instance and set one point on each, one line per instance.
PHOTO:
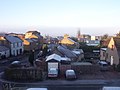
(58, 17)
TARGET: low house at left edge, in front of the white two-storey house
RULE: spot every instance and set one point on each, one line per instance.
(4, 52)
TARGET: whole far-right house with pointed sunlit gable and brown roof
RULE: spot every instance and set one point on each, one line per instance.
(113, 51)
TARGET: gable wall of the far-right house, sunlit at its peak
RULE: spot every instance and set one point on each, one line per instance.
(112, 51)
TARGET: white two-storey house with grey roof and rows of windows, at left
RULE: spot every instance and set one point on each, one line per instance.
(14, 43)
